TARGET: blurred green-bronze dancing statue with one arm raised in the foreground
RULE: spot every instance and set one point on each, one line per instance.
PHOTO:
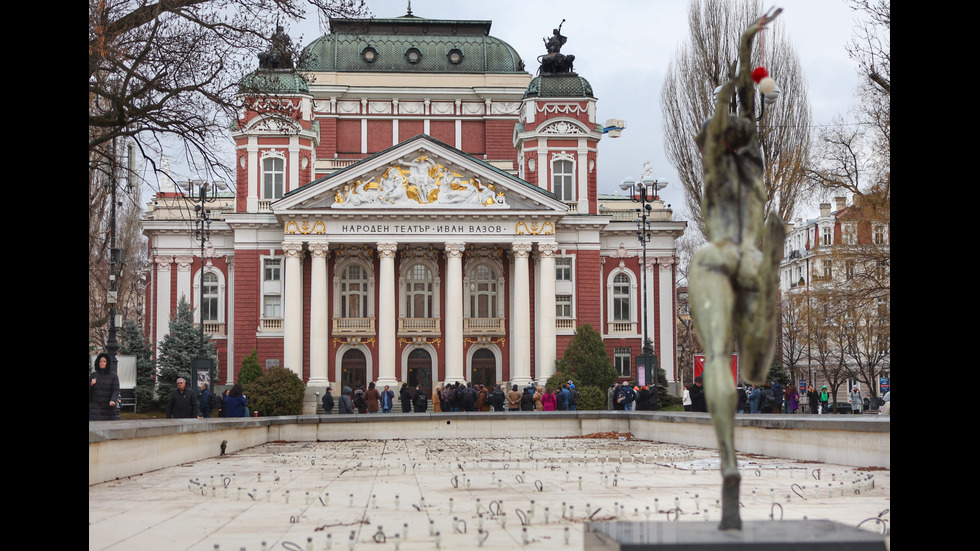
(734, 277)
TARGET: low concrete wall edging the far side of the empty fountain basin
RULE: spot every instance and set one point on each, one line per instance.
(127, 448)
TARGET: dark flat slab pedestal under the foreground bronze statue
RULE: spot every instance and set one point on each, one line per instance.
(798, 535)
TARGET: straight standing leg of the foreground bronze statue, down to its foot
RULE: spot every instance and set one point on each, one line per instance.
(712, 302)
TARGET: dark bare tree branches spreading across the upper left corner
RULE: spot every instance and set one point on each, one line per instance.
(166, 73)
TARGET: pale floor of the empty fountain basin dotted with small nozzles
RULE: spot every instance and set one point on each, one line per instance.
(501, 493)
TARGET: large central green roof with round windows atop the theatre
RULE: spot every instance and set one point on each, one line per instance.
(410, 44)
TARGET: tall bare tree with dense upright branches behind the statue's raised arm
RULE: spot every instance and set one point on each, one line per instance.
(705, 62)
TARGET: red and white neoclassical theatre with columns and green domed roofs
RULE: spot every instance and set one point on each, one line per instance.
(414, 204)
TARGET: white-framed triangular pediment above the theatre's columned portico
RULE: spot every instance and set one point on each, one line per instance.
(419, 174)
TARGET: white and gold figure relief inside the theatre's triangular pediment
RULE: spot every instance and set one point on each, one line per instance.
(419, 182)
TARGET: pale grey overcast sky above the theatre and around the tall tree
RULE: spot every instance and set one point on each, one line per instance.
(623, 47)
